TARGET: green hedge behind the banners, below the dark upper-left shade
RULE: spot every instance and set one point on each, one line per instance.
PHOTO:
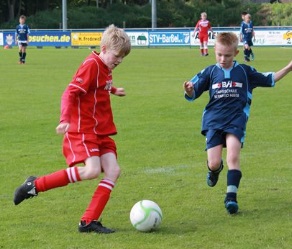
(175, 13)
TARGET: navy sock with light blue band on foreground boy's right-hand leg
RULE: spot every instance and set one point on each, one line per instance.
(233, 180)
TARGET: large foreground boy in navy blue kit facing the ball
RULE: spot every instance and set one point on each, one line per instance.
(230, 87)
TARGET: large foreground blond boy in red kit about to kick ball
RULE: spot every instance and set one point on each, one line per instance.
(87, 124)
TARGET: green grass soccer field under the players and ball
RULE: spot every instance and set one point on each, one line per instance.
(161, 153)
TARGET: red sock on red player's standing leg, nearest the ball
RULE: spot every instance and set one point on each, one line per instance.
(98, 201)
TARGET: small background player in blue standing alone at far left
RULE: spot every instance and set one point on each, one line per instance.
(22, 37)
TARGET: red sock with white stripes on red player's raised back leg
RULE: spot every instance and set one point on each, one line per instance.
(57, 179)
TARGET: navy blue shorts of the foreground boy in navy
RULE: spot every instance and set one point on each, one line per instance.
(218, 137)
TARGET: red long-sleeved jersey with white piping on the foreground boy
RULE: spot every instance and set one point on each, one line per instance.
(86, 101)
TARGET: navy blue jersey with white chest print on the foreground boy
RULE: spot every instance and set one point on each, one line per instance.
(230, 93)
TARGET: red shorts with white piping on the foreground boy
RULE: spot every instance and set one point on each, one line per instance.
(77, 147)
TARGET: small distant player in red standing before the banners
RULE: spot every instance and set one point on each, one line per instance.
(203, 26)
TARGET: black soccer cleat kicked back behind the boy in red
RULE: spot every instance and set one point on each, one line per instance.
(25, 191)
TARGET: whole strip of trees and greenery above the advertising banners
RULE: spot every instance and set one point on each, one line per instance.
(47, 14)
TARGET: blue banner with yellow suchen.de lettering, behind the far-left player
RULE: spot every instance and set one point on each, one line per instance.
(41, 38)
